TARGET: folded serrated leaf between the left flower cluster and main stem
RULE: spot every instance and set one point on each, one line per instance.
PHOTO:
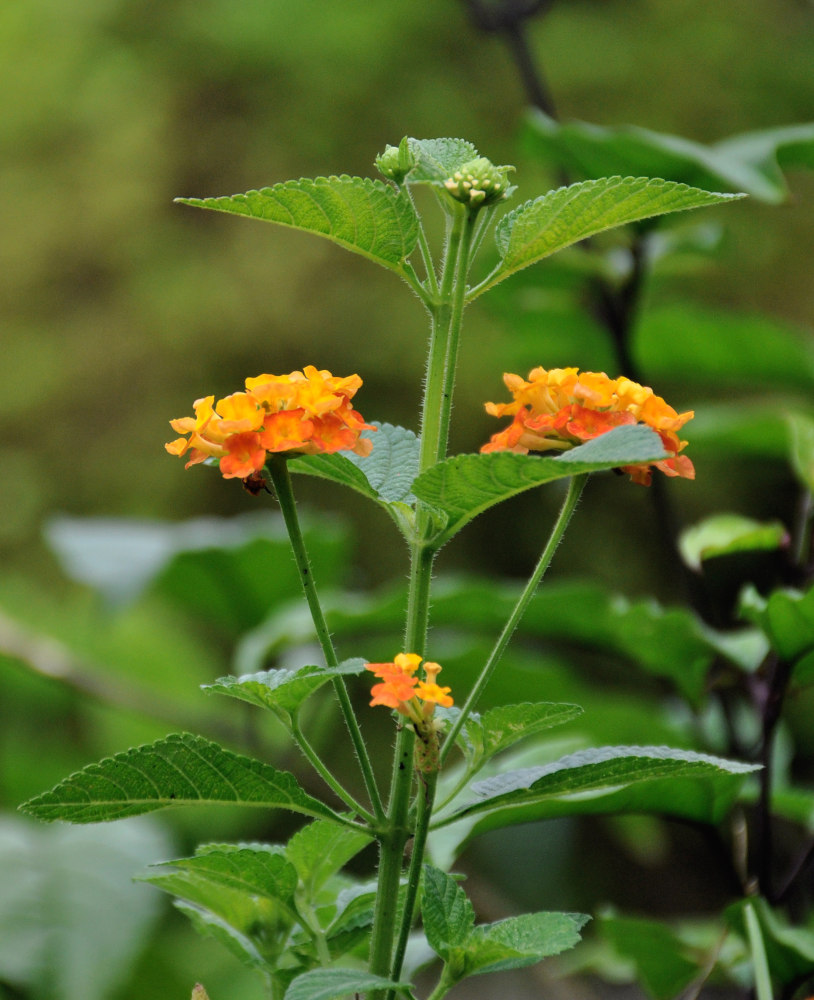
(386, 474)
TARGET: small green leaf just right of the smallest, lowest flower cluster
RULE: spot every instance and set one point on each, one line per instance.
(499, 728)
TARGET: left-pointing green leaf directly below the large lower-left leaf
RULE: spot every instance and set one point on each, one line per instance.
(247, 869)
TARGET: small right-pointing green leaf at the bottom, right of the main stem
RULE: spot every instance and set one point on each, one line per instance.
(517, 942)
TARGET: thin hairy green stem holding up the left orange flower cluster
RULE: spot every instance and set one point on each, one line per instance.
(281, 479)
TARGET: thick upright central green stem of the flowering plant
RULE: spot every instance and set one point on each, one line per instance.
(447, 315)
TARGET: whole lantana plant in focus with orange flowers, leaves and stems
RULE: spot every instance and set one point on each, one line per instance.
(312, 931)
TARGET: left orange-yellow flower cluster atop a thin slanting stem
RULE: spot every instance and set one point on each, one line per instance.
(307, 412)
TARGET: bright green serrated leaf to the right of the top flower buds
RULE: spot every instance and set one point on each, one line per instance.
(563, 217)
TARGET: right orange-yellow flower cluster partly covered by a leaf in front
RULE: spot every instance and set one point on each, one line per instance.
(561, 408)
